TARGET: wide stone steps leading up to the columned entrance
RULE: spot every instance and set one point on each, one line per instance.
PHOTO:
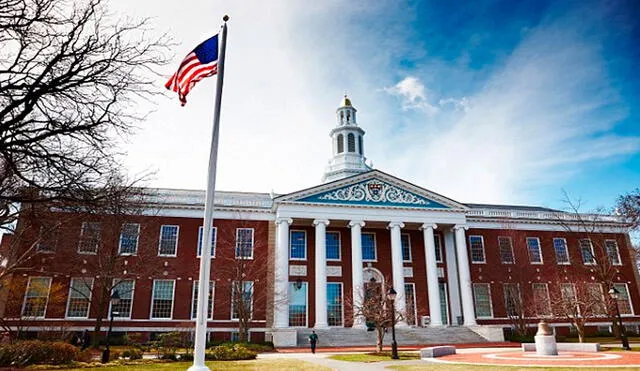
(404, 336)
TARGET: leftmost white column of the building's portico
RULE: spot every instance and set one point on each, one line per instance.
(281, 284)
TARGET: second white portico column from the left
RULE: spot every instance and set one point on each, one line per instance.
(321, 273)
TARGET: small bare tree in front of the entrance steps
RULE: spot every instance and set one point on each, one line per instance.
(376, 309)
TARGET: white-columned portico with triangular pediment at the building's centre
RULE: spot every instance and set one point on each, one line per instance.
(374, 233)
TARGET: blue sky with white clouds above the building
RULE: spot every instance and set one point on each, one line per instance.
(484, 101)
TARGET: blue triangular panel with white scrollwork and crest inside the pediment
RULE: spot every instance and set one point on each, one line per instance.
(374, 192)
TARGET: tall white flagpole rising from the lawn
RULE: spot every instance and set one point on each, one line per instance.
(205, 255)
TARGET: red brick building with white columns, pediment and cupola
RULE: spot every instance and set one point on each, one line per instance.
(310, 254)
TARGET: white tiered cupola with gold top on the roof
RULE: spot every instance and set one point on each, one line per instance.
(348, 145)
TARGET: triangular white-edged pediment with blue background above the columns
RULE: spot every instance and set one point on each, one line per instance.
(373, 188)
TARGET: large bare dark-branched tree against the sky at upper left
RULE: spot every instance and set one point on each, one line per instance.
(69, 73)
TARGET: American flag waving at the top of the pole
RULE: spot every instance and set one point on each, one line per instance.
(200, 63)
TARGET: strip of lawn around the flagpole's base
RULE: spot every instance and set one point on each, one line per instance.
(257, 365)
